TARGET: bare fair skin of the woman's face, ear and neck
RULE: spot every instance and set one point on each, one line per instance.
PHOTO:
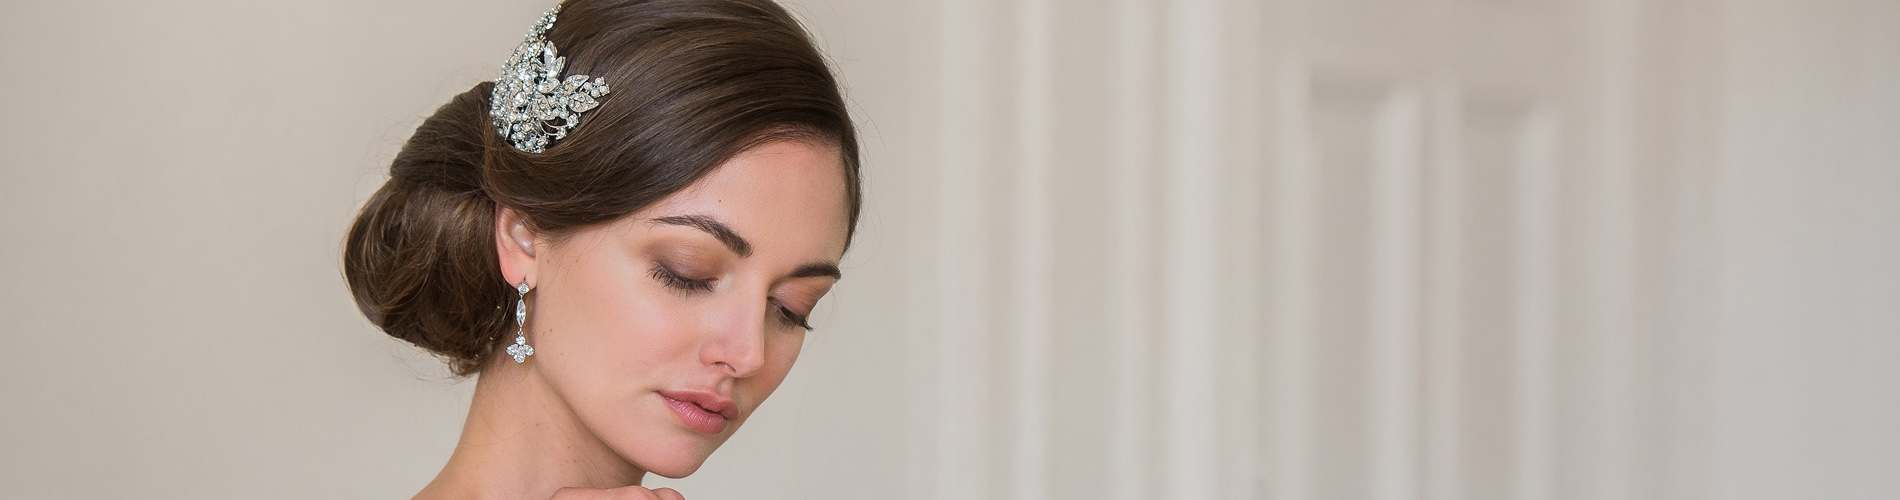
(706, 290)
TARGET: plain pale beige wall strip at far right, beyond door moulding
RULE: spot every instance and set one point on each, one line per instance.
(1808, 355)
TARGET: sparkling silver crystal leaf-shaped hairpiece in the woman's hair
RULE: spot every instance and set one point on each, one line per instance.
(531, 104)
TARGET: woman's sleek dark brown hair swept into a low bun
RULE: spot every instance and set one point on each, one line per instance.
(694, 83)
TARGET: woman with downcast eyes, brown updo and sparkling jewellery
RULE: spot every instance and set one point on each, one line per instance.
(620, 239)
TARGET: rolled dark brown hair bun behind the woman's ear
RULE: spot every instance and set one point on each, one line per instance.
(421, 256)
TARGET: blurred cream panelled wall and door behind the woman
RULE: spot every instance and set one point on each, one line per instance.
(1112, 250)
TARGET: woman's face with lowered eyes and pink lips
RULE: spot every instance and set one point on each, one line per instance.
(666, 330)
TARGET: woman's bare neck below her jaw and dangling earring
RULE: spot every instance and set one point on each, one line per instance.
(523, 442)
